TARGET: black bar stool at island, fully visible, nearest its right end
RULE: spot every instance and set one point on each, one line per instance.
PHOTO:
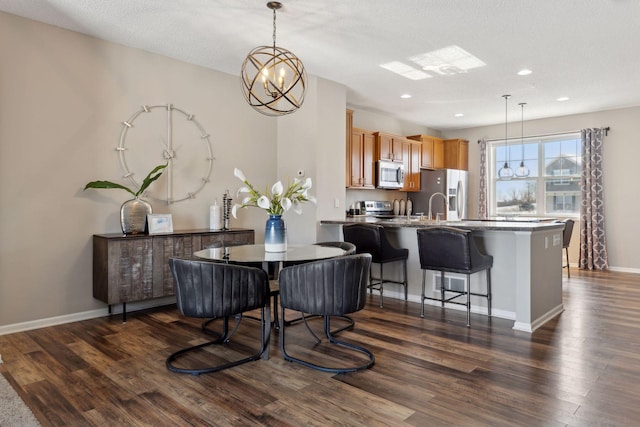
(449, 249)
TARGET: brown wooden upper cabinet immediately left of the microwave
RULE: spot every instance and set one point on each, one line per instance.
(361, 160)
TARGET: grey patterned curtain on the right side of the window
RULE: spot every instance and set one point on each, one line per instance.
(593, 250)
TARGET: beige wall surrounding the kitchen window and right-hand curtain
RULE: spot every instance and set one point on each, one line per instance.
(620, 155)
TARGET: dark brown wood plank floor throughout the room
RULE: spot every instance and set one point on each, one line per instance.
(582, 368)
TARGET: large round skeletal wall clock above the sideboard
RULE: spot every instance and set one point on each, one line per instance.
(166, 134)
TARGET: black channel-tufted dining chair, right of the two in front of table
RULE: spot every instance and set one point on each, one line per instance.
(331, 287)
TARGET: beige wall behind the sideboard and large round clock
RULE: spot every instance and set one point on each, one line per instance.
(63, 99)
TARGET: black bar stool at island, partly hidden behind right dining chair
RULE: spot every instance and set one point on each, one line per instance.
(372, 239)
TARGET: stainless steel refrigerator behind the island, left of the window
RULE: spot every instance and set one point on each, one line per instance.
(452, 183)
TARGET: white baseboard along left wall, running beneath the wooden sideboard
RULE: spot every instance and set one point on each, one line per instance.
(85, 315)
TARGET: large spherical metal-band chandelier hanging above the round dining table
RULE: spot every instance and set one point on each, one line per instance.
(274, 80)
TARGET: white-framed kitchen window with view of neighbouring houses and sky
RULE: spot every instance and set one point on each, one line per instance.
(553, 184)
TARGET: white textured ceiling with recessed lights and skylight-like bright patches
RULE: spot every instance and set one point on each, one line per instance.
(587, 50)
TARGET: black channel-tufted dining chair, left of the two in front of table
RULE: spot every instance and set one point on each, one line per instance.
(212, 290)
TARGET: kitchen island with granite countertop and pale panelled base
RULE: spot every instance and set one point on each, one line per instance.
(526, 277)
